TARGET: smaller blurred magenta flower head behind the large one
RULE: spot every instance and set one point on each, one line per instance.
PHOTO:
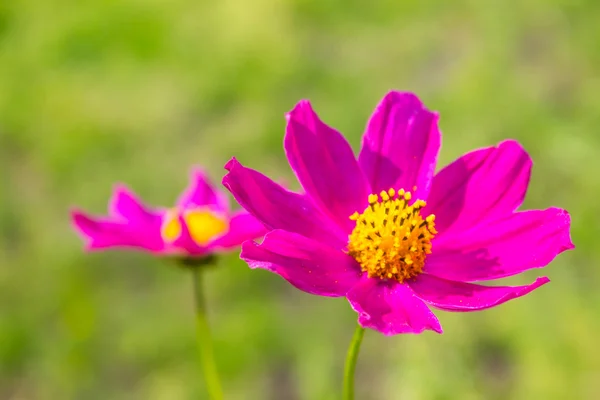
(199, 225)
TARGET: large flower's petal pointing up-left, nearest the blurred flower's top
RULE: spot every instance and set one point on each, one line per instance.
(278, 208)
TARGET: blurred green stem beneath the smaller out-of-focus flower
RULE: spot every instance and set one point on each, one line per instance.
(205, 348)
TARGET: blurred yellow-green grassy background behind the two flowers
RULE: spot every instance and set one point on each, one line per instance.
(101, 91)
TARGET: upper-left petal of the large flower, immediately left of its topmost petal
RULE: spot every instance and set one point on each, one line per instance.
(325, 165)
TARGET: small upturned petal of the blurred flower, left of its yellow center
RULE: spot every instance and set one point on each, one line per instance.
(125, 205)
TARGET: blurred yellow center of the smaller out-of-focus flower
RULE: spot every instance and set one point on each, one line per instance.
(203, 225)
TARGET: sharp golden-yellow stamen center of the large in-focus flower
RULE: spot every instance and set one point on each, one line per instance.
(391, 239)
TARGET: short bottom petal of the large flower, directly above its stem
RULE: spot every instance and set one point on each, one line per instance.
(391, 308)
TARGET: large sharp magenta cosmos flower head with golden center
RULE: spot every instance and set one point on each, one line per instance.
(389, 234)
